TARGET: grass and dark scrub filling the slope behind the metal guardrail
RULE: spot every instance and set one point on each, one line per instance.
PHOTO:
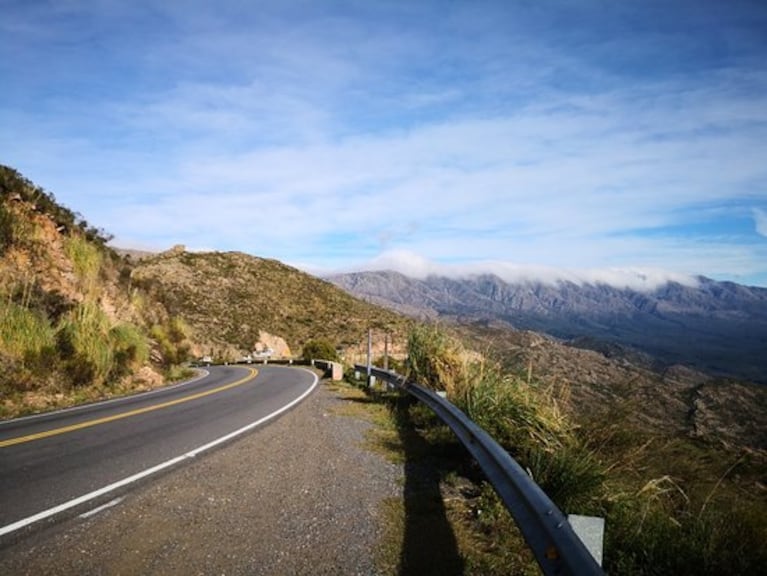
(672, 504)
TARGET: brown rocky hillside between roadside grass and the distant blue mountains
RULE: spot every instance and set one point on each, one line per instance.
(609, 385)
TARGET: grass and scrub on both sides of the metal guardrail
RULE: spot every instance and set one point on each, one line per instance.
(672, 505)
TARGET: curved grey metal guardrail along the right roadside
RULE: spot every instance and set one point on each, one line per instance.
(556, 547)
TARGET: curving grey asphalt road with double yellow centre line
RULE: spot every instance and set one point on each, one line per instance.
(71, 461)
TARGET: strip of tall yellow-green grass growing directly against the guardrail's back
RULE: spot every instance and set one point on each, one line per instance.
(523, 418)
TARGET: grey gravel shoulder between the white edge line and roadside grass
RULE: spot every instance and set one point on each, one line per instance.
(299, 496)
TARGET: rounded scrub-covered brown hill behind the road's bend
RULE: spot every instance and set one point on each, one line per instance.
(234, 302)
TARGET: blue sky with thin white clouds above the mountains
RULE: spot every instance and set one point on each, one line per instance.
(523, 137)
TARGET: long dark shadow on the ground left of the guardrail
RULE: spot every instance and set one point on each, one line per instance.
(429, 546)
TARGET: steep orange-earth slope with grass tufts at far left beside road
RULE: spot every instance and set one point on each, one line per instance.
(70, 327)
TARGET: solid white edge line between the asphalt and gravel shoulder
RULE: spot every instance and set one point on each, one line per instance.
(154, 469)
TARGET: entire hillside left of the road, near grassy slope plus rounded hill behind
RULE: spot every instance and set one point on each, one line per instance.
(80, 320)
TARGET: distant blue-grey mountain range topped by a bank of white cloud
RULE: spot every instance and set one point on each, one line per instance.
(717, 327)
